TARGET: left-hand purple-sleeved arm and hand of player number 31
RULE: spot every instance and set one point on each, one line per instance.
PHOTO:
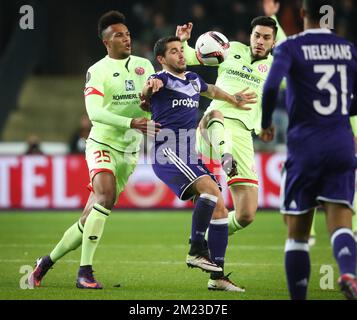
(279, 69)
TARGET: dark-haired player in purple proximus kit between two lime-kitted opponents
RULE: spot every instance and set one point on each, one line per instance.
(174, 95)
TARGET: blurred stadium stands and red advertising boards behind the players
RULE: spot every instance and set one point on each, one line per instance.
(41, 81)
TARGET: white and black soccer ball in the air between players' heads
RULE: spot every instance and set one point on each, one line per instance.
(212, 48)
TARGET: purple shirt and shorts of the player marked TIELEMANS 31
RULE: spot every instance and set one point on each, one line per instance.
(321, 69)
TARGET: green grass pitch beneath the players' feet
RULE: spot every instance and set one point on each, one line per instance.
(142, 257)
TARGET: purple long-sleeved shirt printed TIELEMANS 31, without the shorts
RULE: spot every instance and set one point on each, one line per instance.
(320, 68)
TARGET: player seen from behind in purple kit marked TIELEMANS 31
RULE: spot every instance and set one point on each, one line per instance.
(320, 68)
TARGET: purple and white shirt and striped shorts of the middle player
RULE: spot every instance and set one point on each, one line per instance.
(175, 107)
